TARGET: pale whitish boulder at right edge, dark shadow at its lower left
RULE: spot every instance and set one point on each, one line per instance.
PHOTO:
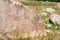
(55, 18)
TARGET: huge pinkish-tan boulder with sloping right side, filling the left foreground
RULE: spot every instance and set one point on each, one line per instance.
(17, 19)
